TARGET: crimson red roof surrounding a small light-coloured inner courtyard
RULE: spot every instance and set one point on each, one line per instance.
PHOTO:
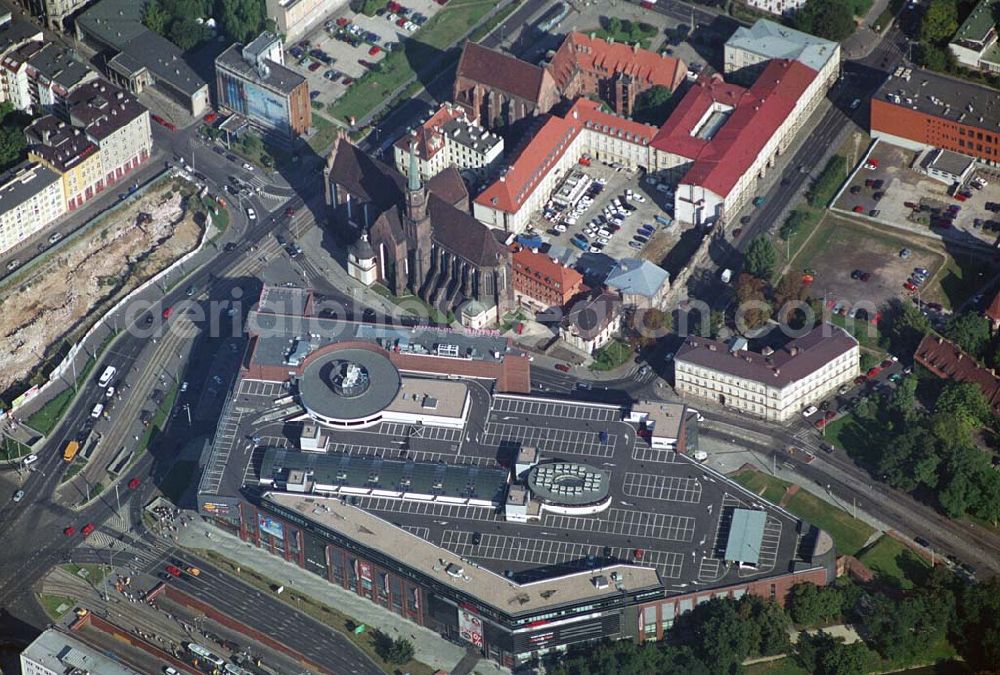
(756, 114)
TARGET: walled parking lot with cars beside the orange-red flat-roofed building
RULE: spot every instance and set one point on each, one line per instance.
(883, 187)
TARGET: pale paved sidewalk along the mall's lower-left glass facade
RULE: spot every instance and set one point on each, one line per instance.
(429, 647)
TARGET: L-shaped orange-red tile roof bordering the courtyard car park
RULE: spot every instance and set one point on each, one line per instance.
(547, 146)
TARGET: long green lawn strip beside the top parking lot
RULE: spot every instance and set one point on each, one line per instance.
(426, 51)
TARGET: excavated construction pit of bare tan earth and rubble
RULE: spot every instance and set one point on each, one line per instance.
(58, 299)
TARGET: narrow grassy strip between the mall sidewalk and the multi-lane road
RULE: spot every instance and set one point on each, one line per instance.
(340, 622)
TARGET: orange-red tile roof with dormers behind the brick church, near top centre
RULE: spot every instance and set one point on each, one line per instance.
(602, 59)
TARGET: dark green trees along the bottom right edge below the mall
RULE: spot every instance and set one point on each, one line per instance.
(717, 636)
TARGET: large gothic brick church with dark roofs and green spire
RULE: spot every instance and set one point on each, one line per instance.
(414, 237)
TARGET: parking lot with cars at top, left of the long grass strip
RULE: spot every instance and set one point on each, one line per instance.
(340, 50)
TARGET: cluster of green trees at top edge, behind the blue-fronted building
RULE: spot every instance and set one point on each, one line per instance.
(178, 20)
